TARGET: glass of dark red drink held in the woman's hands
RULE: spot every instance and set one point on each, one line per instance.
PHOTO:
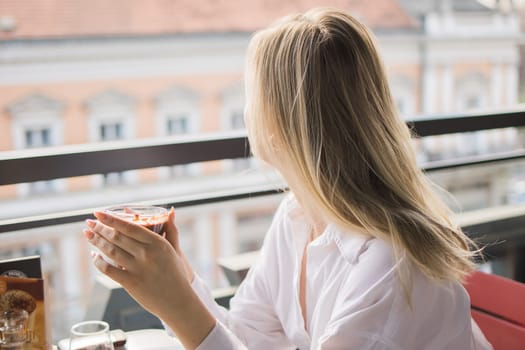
(152, 217)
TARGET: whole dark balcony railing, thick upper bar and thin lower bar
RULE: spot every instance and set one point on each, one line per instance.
(77, 160)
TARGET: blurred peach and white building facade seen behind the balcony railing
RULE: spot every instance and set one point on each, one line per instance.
(75, 72)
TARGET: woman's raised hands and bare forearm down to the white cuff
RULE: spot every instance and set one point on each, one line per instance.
(153, 271)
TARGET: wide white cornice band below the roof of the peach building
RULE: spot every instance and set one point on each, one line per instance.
(23, 63)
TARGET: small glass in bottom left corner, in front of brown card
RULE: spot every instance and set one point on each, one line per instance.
(13, 328)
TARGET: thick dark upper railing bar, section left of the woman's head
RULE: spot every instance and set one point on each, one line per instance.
(68, 161)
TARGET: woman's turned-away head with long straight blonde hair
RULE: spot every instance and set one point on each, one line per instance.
(319, 95)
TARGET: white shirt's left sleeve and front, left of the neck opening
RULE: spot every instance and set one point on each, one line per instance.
(251, 322)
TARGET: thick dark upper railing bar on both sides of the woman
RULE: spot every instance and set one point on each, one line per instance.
(78, 160)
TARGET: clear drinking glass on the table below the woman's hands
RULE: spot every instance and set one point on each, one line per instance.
(90, 335)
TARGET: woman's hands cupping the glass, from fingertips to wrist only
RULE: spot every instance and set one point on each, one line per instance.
(149, 266)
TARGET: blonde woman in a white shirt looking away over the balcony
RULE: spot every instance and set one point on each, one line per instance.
(360, 255)
